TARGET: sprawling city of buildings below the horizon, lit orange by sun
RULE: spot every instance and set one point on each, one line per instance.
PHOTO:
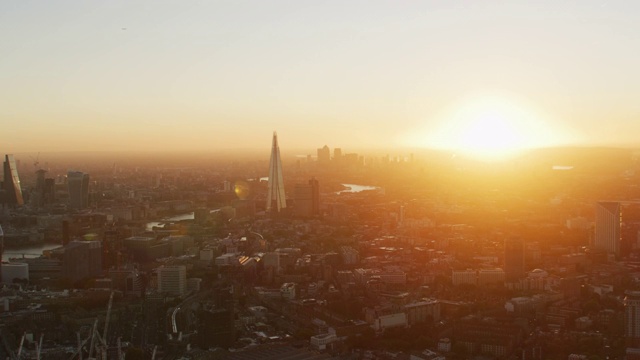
(332, 255)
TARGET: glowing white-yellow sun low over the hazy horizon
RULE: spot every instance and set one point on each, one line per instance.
(490, 128)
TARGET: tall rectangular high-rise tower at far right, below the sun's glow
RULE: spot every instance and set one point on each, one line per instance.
(608, 235)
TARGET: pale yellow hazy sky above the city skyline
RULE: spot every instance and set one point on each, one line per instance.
(200, 75)
